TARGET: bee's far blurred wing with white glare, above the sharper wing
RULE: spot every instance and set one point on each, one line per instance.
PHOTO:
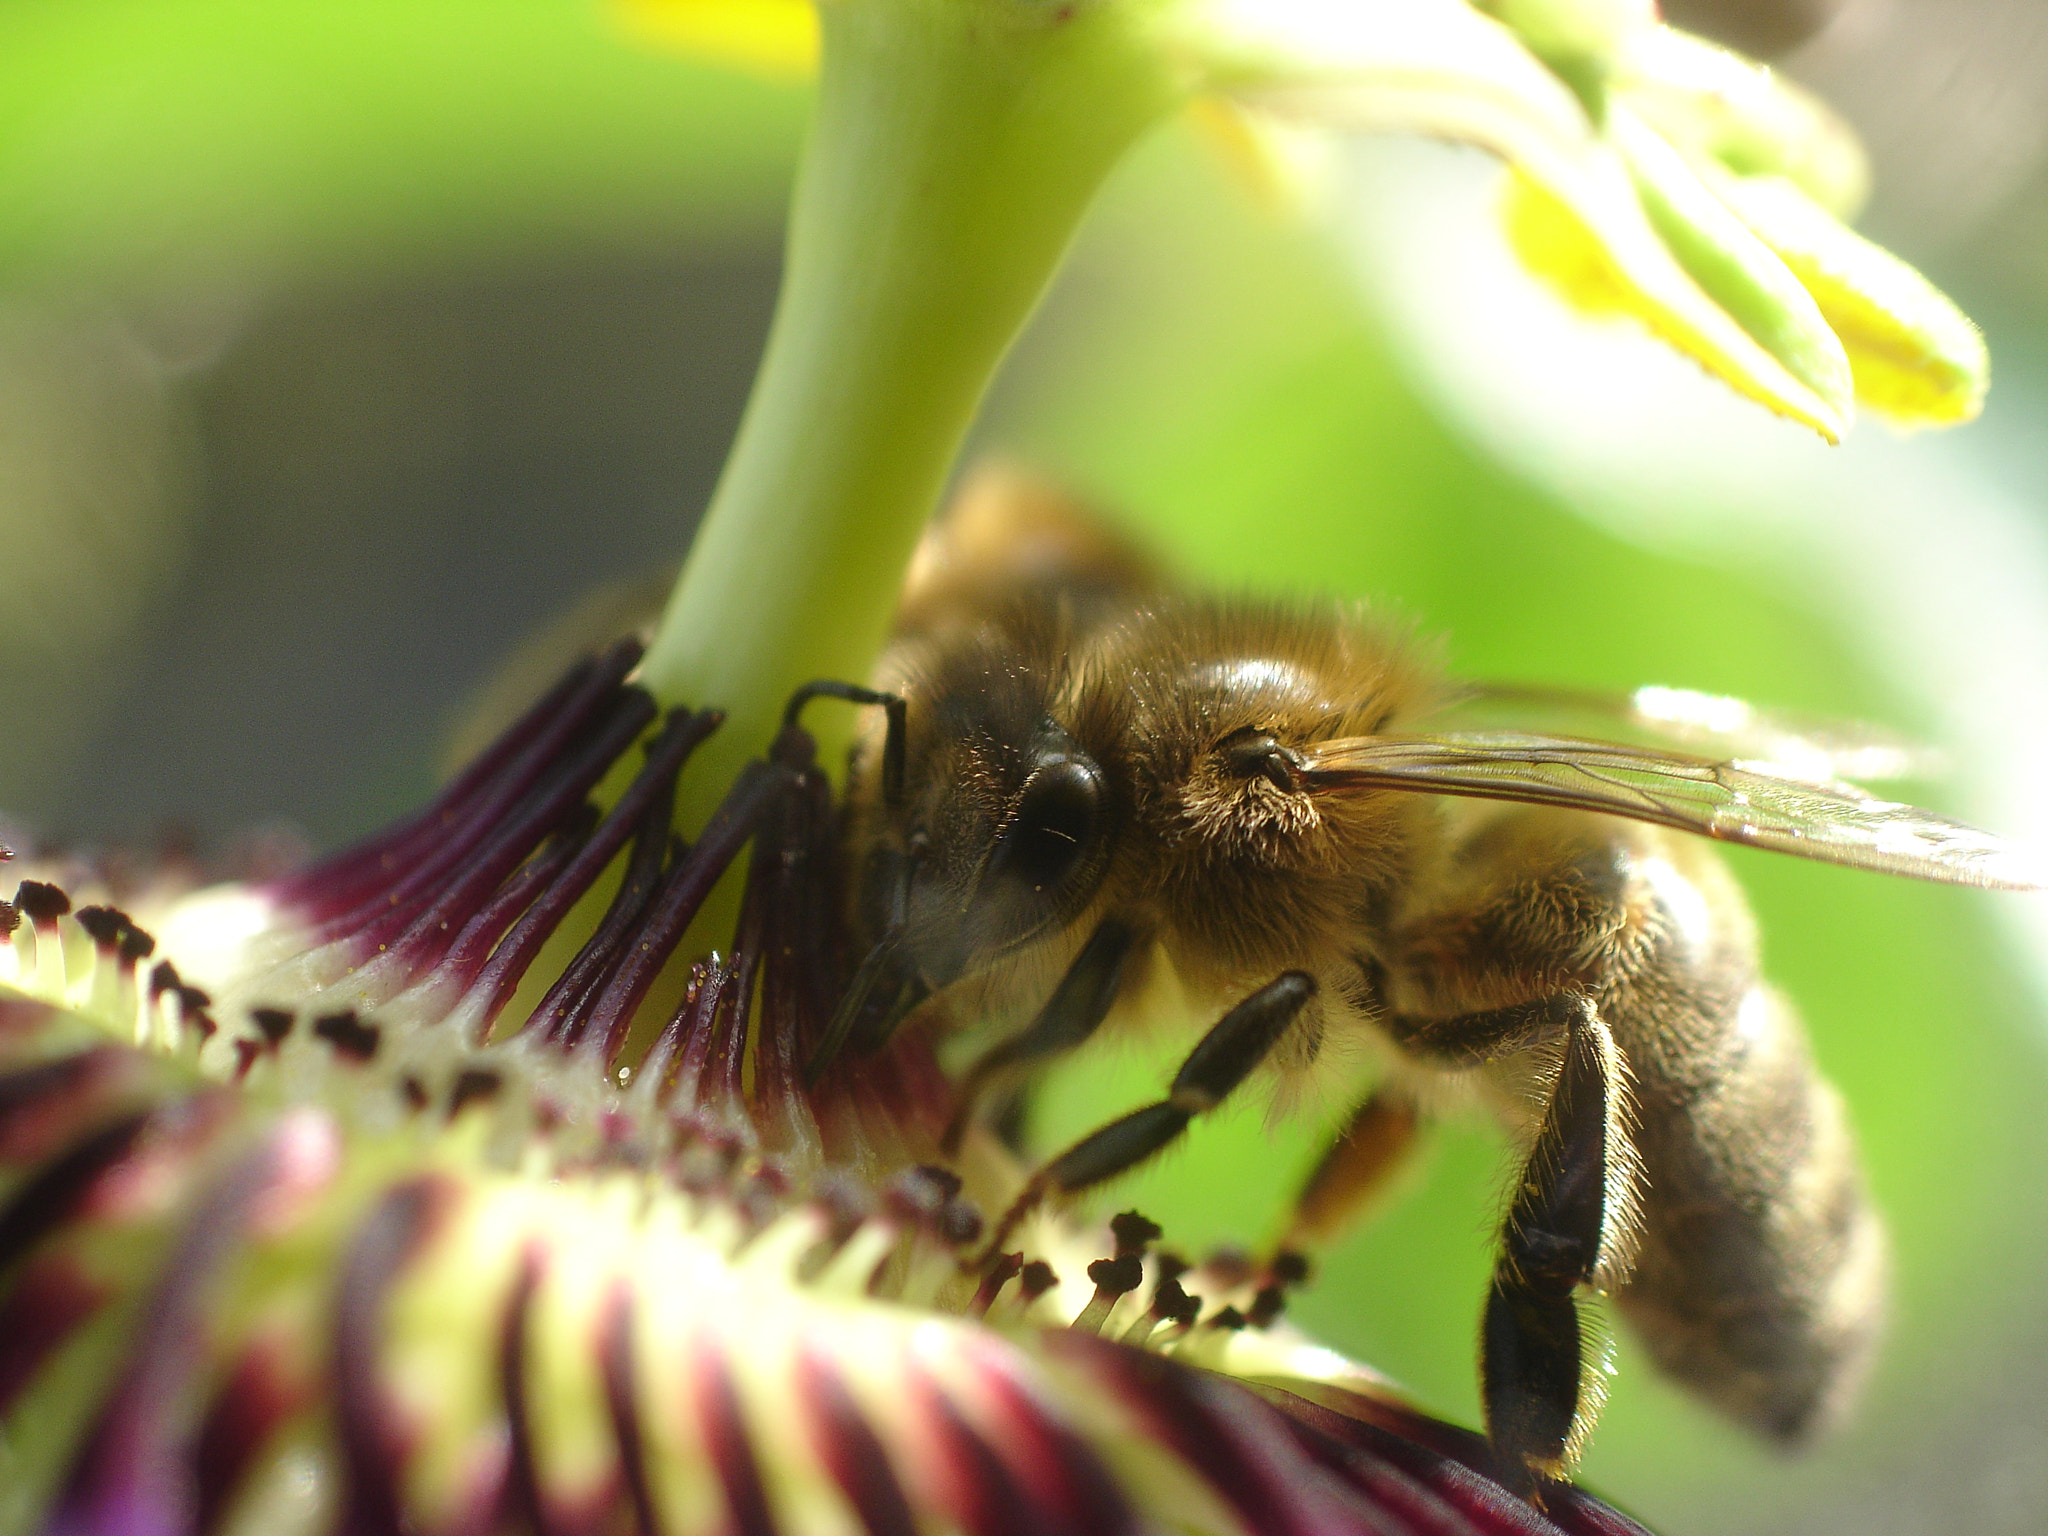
(1697, 724)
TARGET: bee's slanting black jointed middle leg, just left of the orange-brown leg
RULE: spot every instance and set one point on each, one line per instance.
(1220, 1062)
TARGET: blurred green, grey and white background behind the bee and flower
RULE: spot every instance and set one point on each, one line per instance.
(343, 345)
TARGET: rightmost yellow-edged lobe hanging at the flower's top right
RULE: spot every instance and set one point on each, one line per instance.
(1914, 353)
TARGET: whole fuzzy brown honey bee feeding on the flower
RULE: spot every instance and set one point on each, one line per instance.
(1089, 775)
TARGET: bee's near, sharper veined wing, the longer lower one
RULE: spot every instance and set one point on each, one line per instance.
(1734, 802)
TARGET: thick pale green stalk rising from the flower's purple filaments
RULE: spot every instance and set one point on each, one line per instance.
(953, 153)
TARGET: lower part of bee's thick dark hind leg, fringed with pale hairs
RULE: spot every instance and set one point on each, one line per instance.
(1568, 1228)
